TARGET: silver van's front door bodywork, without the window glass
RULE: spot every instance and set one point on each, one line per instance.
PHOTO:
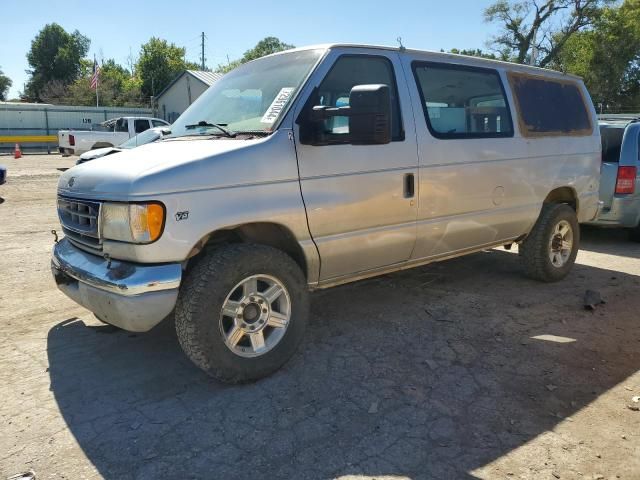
(354, 194)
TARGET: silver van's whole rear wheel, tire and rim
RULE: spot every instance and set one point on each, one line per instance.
(550, 250)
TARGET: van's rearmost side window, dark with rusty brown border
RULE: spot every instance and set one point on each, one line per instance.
(549, 107)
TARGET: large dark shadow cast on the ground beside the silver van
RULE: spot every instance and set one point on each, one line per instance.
(428, 373)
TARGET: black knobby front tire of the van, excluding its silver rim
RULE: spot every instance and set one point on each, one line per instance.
(203, 293)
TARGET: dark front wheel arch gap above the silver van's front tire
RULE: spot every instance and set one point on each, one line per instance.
(270, 234)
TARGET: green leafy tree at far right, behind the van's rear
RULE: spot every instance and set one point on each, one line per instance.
(608, 57)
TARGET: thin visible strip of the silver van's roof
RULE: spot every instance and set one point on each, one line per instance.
(433, 55)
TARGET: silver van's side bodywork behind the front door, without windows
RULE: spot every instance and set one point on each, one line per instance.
(477, 191)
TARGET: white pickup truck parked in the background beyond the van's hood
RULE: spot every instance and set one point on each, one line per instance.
(113, 132)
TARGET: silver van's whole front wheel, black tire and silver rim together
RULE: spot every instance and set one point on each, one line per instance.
(242, 312)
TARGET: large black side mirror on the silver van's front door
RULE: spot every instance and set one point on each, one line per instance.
(370, 116)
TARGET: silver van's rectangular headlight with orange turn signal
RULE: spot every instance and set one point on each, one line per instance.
(132, 222)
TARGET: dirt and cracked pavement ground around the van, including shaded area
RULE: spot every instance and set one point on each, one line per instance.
(458, 370)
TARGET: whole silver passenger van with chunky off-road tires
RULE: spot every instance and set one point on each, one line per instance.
(355, 161)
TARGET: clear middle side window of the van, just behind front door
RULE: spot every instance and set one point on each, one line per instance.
(463, 102)
